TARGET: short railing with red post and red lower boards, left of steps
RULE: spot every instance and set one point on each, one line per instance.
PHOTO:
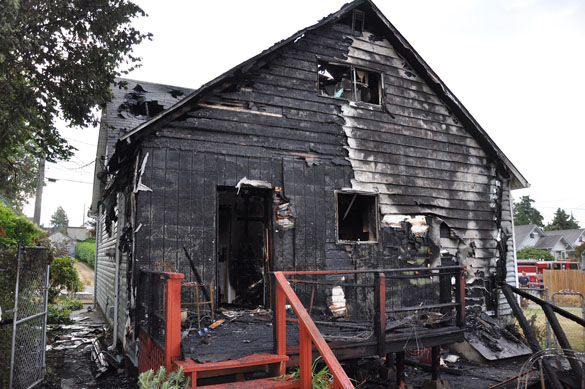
(152, 353)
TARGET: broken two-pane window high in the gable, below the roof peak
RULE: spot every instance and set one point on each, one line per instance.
(349, 82)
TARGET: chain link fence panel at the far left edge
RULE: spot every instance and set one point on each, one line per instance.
(24, 281)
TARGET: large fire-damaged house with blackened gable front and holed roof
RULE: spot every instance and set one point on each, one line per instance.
(337, 148)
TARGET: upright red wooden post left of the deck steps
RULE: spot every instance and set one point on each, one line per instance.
(173, 331)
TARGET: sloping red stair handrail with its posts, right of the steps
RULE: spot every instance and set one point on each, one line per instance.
(308, 334)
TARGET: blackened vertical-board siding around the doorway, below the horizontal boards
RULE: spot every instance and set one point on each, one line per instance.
(180, 210)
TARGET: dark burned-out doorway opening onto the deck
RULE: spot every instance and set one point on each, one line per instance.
(243, 243)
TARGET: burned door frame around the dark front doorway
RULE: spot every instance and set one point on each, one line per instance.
(267, 249)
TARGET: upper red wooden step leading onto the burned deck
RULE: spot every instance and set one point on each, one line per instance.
(271, 364)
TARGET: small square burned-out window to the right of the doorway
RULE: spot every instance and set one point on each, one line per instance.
(356, 217)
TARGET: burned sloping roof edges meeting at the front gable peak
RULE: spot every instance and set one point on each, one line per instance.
(401, 45)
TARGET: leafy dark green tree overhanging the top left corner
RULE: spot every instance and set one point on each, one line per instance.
(57, 60)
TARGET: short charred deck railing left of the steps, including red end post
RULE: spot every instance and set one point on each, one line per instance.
(158, 318)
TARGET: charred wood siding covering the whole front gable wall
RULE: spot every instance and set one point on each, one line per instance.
(270, 124)
